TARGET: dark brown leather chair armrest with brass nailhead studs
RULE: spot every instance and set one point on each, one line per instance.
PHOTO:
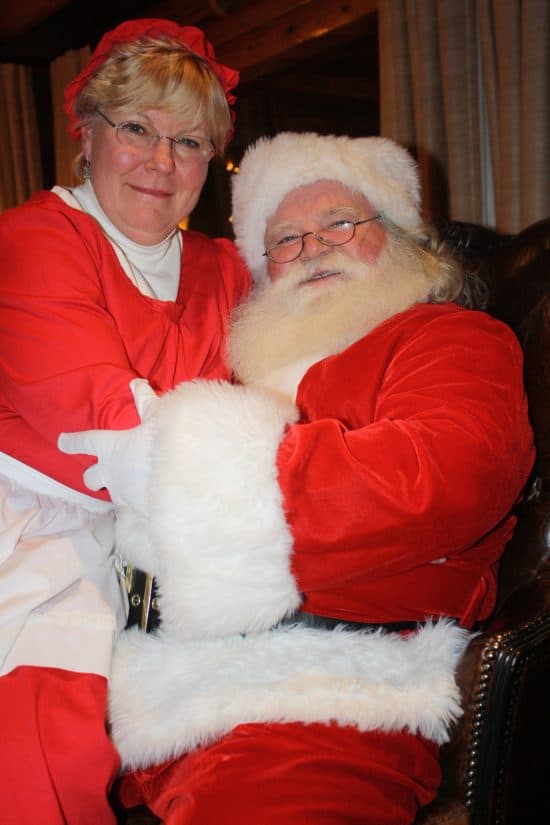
(495, 768)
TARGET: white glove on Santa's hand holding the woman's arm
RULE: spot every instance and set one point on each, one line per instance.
(123, 456)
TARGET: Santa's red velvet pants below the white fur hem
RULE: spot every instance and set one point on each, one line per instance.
(293, 774)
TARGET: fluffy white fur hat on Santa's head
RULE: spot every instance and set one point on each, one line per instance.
(385, 173)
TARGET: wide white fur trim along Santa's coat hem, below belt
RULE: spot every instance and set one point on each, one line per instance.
(167, 698)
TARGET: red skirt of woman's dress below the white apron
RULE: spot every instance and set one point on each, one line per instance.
(56, 761)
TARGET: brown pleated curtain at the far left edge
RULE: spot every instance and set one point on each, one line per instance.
(20, 161)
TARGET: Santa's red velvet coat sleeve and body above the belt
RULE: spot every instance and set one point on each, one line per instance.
(413, 446)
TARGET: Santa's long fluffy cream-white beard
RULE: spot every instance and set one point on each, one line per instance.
(292, 320)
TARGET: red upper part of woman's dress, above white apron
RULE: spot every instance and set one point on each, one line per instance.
(75, 331)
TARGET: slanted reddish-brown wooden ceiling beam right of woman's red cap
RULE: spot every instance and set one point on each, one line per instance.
(299, 32)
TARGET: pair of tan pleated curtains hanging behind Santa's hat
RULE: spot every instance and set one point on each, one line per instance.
(465, 85)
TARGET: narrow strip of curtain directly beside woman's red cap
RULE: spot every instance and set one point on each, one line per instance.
(62, 71)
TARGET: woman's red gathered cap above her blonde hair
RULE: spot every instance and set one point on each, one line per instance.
(131, 31)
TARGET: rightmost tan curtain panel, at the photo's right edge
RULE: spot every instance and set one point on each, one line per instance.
(515, 38)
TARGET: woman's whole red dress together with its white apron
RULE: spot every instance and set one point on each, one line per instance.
(74, 332)
